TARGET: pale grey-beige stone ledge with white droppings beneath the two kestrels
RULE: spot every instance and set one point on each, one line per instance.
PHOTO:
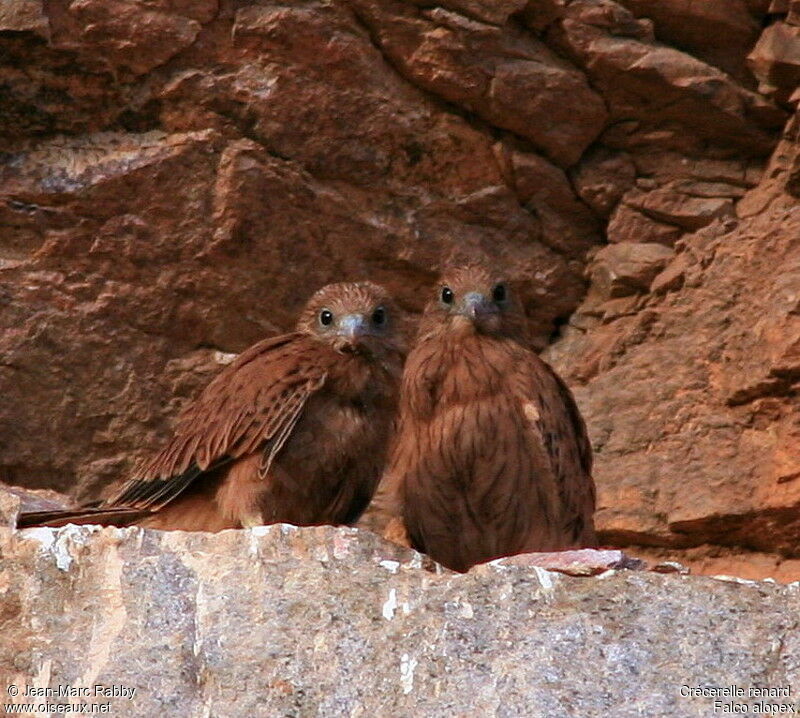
(329, 621)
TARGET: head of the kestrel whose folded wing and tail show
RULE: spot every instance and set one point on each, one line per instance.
(355, 317)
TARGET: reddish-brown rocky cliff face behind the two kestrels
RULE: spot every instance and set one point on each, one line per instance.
(176, 177)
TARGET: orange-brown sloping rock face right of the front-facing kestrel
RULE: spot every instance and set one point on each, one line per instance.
(700, 383)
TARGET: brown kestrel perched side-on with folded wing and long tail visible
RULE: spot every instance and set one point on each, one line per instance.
(294, 430)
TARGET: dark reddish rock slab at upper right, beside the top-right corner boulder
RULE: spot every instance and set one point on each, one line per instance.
(660, 86)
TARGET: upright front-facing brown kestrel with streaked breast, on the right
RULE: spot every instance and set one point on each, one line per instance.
(491, 456)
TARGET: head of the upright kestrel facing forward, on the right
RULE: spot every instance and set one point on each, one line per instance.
(474, 298)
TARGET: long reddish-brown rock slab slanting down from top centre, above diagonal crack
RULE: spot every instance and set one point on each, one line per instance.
(509, 78)
